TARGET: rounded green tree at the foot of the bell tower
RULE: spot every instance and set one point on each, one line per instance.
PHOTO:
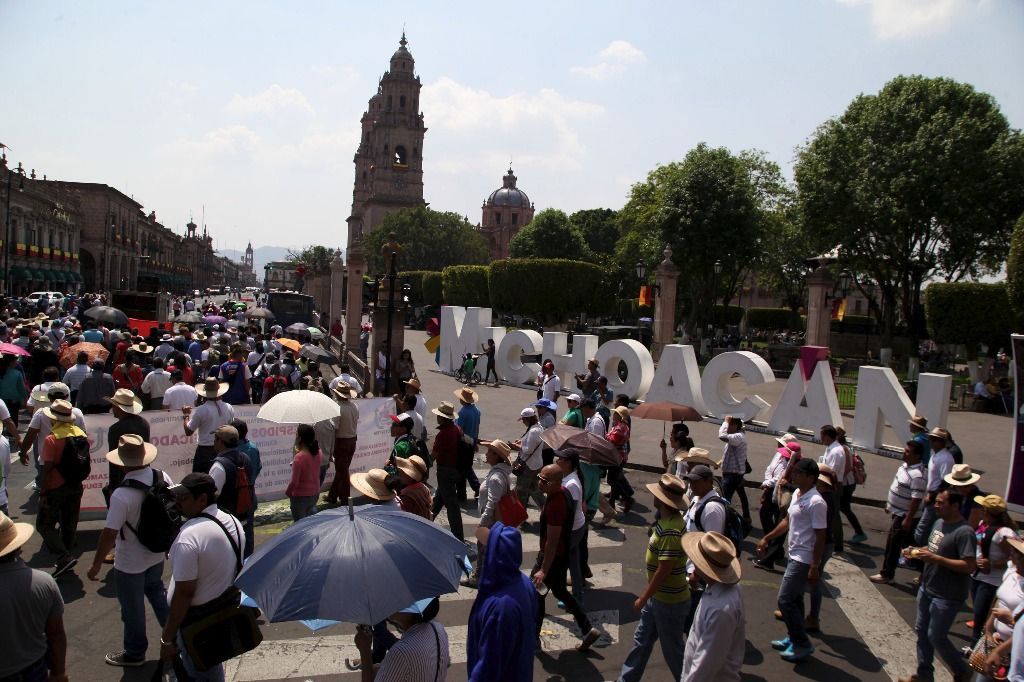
(431, 241)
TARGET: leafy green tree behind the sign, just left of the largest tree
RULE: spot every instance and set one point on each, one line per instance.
(712, 206)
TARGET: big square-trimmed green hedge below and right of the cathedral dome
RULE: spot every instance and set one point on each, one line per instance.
(550, 290)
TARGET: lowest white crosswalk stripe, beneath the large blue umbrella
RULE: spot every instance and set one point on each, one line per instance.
(323, 656)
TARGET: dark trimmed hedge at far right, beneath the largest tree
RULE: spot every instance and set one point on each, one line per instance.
(970, 313)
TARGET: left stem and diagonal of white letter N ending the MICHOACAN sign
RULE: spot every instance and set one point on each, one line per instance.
(880, 398)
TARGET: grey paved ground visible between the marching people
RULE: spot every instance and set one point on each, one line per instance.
(867, 630)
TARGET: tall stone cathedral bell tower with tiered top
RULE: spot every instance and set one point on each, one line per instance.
(390, 159)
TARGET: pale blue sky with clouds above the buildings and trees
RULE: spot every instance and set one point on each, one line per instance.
(252, 109)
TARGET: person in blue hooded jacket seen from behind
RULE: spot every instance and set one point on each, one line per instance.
(502, 636)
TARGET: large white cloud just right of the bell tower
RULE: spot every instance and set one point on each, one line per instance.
(535, 129)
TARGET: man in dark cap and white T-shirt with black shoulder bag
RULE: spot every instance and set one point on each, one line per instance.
(205, 559)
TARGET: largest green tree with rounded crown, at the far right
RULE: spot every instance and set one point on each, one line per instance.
(920, 182)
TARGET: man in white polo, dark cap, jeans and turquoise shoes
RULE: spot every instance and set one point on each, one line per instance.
(806, 524)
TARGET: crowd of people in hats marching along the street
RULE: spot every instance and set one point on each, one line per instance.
(961, 540)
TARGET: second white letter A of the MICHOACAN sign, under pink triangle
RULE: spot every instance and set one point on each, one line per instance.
(821, 407)
